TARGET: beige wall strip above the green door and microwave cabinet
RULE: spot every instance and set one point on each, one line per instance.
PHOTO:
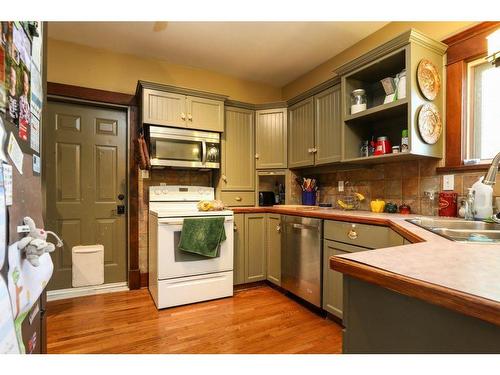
(85, 66)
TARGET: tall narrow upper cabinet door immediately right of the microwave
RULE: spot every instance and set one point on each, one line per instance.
(238, 152)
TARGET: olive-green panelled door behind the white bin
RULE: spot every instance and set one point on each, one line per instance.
(85, 164)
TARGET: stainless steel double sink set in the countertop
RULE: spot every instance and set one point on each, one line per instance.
(460, 230)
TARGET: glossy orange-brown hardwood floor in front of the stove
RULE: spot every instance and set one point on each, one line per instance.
(257, 320)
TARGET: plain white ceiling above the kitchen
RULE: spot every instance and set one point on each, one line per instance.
(271, 52)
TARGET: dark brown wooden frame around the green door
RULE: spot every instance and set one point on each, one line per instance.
(84, 95)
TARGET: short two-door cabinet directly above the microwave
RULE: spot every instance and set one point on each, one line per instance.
(182, 111)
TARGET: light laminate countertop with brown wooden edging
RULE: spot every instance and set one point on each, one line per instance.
(461, 276)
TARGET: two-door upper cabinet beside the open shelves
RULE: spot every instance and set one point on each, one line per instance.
(314, 129)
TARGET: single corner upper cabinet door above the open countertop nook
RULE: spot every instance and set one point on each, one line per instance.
(270, 139)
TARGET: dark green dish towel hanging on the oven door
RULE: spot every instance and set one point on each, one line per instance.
(202, 235)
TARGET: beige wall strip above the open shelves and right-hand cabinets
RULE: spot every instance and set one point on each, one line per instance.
(323, 72)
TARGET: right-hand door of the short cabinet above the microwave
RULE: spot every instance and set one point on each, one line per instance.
(205, 114)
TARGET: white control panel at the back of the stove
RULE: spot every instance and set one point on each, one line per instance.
(180, 193)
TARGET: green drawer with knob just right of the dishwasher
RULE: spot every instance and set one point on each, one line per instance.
(370, 236)
